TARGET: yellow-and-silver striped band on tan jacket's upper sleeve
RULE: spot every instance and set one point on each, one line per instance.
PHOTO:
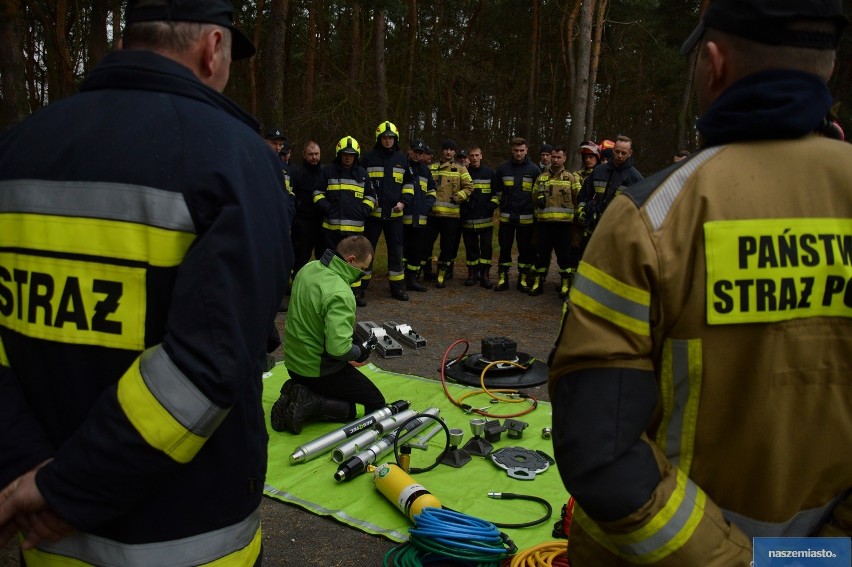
(621, 304)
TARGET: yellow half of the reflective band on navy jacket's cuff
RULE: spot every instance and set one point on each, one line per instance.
(153, 422)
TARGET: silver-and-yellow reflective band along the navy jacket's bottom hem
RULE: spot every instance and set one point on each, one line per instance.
(235, 545)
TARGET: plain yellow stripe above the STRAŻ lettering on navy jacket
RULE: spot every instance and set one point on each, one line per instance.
(112, 239)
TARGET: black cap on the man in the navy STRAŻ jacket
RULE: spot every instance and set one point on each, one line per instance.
(219, 12)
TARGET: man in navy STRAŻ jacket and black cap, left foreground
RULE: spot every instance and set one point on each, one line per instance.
(141, 267)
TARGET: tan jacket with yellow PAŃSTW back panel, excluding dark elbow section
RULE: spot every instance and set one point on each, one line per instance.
(731, 280)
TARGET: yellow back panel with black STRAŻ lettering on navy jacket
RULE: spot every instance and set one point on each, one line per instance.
(73, 302)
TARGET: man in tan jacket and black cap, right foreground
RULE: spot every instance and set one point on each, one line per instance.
(700, 382)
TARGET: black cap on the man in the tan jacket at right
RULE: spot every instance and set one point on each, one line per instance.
(767, 21)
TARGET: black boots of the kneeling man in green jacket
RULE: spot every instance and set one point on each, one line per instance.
(299, 404)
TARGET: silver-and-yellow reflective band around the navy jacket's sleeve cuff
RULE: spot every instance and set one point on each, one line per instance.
(165, 407)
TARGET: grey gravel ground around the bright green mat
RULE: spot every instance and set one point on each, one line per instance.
(442, 316)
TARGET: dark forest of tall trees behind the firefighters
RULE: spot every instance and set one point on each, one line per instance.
(552, 71)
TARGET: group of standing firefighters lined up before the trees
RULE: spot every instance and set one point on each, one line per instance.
(416, 203)
